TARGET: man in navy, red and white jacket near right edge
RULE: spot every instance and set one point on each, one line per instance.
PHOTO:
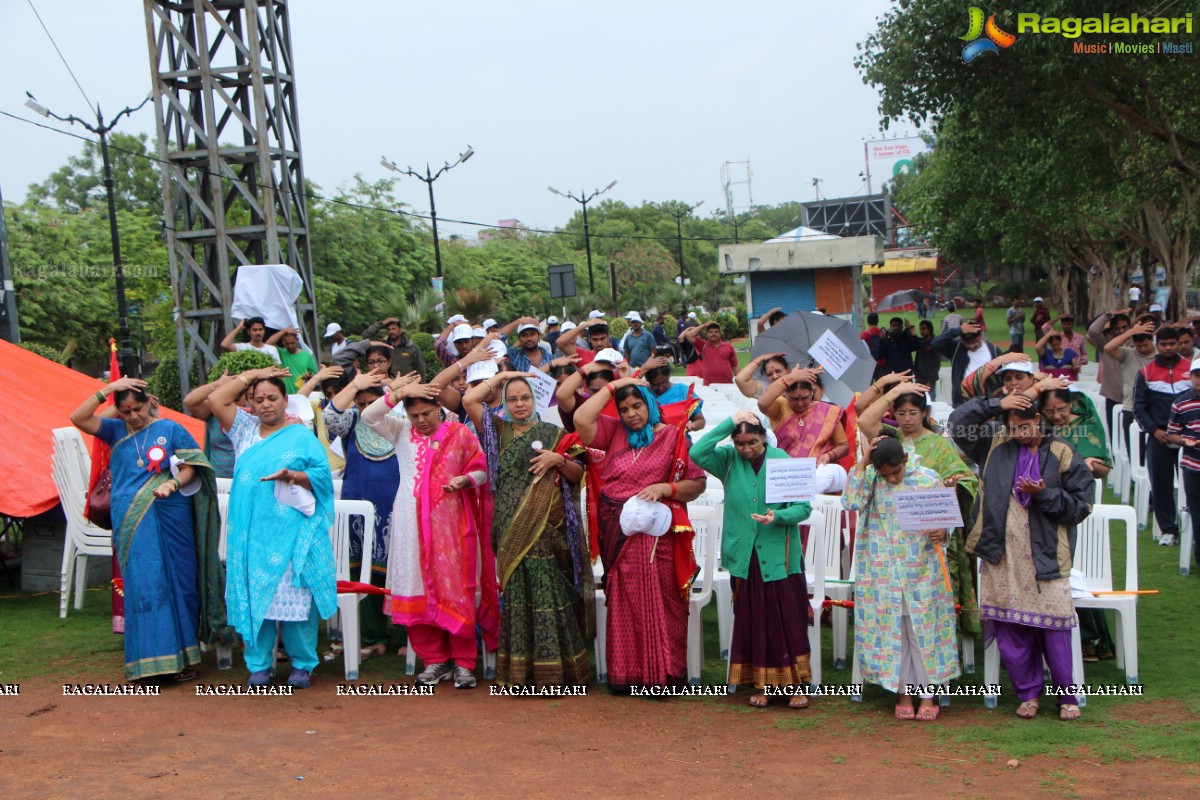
(1155, 390)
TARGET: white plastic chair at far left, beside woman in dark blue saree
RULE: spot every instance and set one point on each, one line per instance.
(71, 468)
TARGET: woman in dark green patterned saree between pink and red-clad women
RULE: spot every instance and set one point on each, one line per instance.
(542, 549)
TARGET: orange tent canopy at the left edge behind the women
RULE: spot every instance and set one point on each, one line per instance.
(41, 396)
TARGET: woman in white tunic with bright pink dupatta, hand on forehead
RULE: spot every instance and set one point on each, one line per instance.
(439, 542)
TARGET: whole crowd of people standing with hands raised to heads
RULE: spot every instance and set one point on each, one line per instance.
(499, 513)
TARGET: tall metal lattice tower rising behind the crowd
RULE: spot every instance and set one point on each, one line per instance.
(232, 175)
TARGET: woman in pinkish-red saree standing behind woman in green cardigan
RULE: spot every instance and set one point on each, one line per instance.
(805, 426)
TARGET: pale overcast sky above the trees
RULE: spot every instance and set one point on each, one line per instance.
(655, 94)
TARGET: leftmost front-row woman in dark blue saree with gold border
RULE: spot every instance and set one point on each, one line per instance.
(165, 533)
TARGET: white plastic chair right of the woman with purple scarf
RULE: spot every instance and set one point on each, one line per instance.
(1094, 558)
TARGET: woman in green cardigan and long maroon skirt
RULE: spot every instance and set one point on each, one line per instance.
(761, 549)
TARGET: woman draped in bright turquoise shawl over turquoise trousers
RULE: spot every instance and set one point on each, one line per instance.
(279, 556)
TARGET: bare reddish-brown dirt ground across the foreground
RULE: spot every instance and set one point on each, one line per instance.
(465, 744)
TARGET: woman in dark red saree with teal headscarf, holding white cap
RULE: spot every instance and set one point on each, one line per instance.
(647, 579)
